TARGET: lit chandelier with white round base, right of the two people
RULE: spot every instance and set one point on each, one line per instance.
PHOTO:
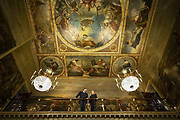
(129, 80)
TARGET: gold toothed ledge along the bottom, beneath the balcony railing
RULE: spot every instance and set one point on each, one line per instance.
(125, 115)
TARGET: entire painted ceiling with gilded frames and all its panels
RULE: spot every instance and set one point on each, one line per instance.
(90, 38)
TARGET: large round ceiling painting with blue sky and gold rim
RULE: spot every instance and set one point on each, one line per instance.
(87, 25)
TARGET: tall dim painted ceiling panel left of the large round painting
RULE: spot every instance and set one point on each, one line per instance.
(44, 42)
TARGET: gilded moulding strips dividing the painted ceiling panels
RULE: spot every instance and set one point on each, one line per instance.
(136, 56)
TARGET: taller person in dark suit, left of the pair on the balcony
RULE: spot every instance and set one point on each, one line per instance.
(83, 99)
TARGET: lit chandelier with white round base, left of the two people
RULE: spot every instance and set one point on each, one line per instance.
(44, 81)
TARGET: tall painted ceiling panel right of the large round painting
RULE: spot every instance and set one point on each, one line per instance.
(136, 22)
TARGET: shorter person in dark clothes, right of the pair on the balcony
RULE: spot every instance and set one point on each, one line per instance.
(93, 100)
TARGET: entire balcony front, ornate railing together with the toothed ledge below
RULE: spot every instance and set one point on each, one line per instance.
(39, 108)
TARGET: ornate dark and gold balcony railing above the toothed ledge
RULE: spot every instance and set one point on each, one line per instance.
(63, 104)
